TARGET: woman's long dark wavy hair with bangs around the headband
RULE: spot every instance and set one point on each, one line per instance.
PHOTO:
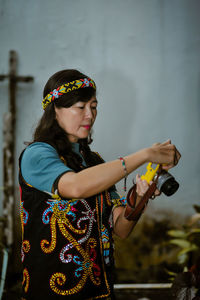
(48, 129)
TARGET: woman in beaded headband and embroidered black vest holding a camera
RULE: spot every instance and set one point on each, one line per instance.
(70, 207)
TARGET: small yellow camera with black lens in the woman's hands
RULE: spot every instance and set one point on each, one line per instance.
(165, 182)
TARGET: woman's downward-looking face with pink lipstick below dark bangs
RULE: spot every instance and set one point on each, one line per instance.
(78, 119)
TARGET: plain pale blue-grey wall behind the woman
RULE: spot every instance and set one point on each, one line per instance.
(144, 56)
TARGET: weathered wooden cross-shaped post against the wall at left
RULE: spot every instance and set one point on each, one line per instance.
(9, 149)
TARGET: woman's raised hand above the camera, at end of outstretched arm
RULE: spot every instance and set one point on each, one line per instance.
(165, 154)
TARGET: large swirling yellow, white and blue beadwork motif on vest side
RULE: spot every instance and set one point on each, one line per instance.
(61, 214)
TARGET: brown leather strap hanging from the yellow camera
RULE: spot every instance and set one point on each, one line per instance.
(132, 212)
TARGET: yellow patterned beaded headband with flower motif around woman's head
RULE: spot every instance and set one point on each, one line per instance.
(66, 88)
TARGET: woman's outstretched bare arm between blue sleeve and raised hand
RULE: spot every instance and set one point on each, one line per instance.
(96, 179)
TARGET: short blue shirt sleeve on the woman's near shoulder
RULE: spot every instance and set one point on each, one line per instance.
(41, 166)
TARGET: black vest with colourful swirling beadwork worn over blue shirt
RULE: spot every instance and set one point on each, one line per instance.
(67, 248)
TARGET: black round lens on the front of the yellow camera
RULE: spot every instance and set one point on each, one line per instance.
(167, 183)
